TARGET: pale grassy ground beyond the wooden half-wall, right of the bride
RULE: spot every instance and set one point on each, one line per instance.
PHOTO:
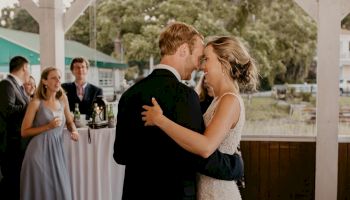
(267, 116)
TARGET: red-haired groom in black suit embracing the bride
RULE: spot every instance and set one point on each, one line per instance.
(155, 166)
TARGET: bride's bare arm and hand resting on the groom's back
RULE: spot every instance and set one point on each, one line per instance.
(226, 115)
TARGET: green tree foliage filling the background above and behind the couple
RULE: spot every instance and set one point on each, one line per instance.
(279, 35)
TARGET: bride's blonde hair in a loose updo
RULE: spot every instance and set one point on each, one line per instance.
(236, 61)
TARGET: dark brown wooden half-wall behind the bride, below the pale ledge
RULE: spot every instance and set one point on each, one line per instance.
(283, 168)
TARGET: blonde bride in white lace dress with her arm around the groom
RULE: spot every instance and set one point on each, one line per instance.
(228, 67)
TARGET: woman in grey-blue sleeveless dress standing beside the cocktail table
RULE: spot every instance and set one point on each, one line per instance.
(44, 173)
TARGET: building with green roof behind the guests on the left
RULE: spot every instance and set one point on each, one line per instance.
(105, 71)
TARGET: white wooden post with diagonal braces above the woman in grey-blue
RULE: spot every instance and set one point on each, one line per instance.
(53, 24)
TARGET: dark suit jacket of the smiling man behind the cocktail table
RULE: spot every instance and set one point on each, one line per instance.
(90, 93)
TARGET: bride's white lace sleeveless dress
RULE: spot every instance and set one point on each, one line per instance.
(214, 189)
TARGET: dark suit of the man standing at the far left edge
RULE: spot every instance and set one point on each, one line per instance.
(13, 104)
